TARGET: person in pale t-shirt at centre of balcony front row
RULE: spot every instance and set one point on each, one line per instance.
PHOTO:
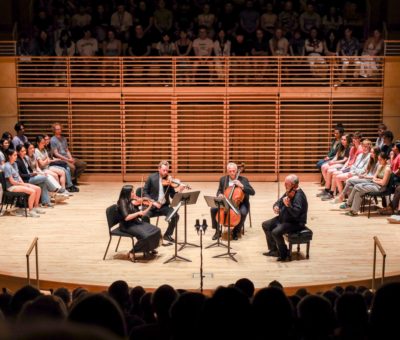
(202, 47)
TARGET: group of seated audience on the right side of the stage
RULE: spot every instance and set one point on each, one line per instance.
(355, 167)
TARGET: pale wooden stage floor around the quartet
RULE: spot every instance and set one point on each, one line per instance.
(73, 238)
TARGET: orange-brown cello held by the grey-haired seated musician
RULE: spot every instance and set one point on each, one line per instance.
(236, 195)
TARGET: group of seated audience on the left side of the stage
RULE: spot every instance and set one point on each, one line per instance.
(45, 170)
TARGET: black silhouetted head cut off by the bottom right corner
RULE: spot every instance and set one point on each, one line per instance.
(385, 311)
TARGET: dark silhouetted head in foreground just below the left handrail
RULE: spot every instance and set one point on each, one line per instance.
(43, 307)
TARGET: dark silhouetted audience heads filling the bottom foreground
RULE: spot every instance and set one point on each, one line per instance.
(233, 312)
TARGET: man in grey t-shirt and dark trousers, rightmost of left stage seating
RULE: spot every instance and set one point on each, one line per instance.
(59, 146)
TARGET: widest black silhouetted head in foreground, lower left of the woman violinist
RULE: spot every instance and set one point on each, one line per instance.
(100, 310)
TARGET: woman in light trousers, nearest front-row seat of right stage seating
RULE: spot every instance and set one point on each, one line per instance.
(379, 182)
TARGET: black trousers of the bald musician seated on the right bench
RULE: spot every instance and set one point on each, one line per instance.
(274, 231)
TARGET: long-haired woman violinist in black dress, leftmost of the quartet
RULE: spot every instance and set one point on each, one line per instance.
(148, 235)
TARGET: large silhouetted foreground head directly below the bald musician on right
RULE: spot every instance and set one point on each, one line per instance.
(271, 305)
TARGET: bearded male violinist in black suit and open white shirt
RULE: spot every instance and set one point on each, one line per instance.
(158, 188)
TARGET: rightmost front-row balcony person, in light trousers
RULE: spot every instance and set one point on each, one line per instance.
(373, 47)
